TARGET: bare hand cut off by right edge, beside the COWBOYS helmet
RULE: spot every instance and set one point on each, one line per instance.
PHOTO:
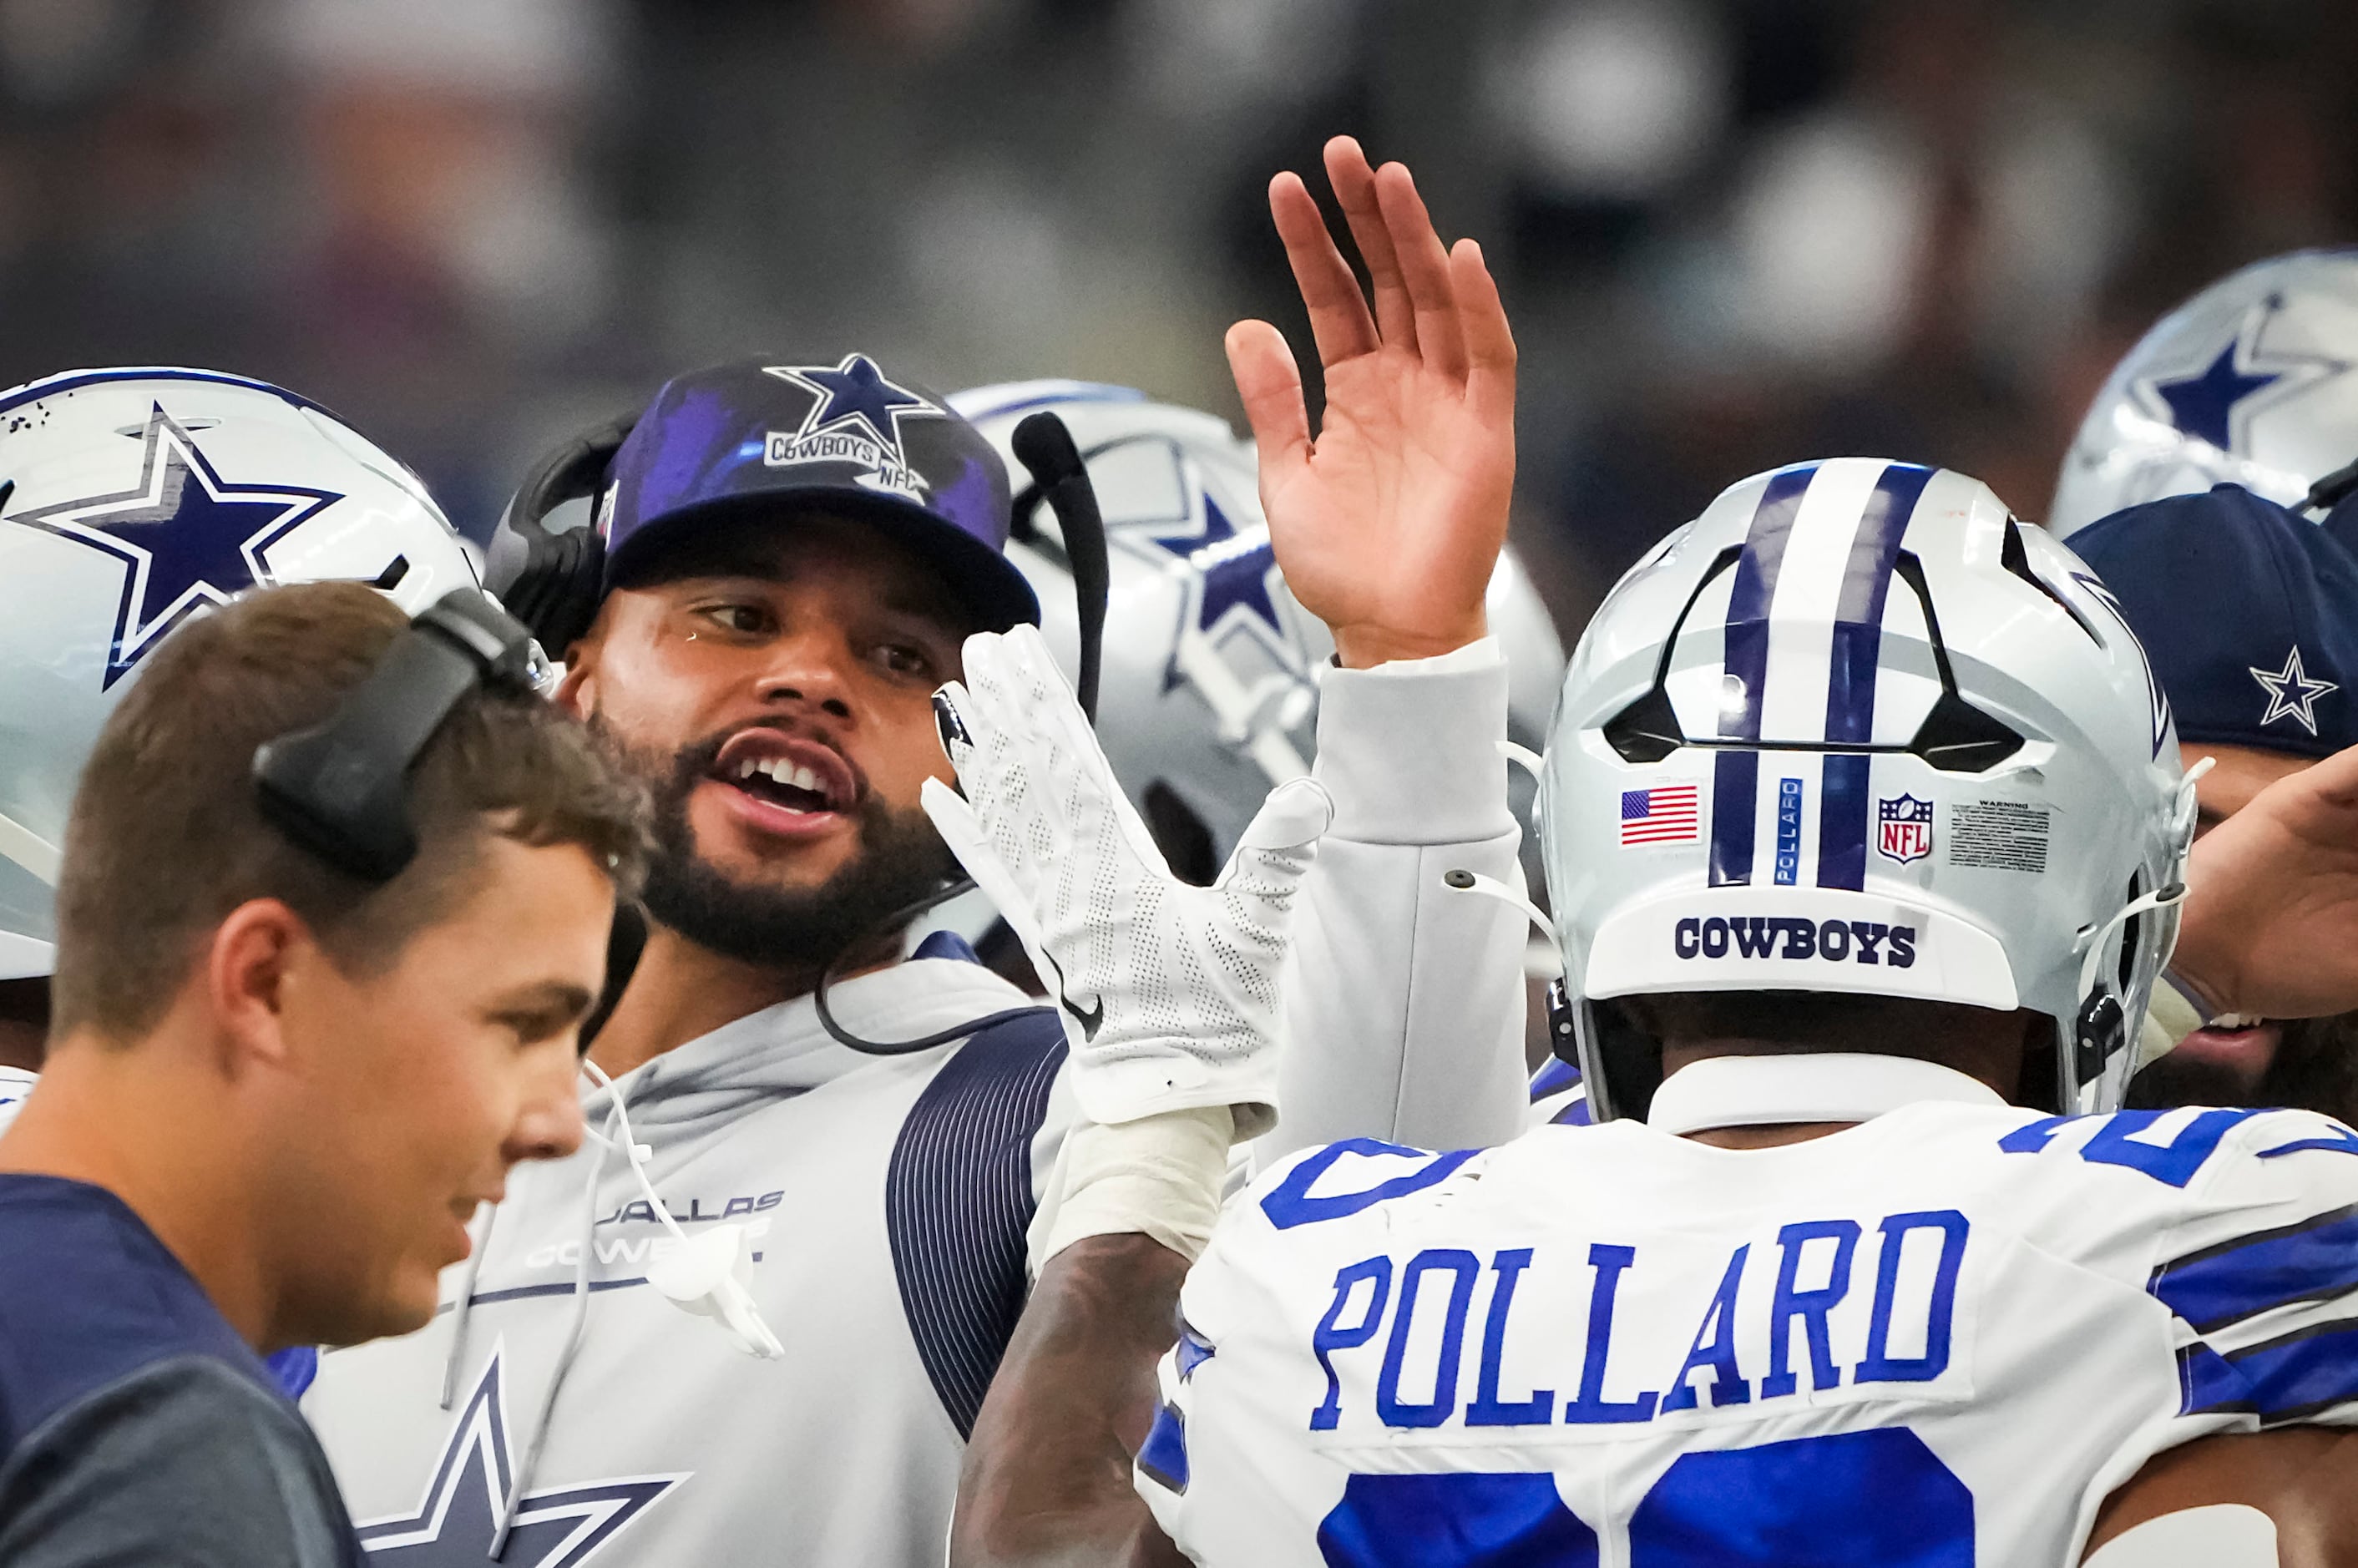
(2272, 909)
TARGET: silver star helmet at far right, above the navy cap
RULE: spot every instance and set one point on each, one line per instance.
(2253, 381)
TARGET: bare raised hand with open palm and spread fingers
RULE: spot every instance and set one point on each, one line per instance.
(1390, 522)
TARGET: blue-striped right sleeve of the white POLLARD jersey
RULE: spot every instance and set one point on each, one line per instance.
(2263, 1274)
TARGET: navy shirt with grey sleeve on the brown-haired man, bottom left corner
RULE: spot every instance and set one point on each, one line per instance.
(136, 1428)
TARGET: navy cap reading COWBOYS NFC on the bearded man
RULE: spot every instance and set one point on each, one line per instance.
(841, 437)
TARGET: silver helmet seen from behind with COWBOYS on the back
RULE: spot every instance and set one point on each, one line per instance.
(1859, 730)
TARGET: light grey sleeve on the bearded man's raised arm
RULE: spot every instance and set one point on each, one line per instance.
(1404, 1001)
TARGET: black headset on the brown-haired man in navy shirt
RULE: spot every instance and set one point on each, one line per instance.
(338, 789)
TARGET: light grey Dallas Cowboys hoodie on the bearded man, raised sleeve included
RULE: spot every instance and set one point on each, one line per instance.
(885, 1204)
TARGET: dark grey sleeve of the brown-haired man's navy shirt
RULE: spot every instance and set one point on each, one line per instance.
(180, 1465)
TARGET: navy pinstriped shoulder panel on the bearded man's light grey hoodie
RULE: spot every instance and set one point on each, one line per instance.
(959, 1199)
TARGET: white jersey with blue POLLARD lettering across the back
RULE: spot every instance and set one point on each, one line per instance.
(1944, 1336)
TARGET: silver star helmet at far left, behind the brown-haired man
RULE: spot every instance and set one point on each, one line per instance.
(131, 501)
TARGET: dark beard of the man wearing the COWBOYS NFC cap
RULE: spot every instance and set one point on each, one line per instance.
(782, 928)
